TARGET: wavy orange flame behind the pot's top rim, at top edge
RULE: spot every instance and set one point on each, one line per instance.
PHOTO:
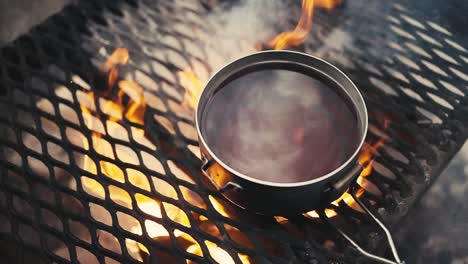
(301, 31)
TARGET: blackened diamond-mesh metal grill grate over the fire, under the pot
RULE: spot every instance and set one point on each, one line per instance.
(100, 159)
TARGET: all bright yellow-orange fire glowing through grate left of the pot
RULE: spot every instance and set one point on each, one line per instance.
(133, 110)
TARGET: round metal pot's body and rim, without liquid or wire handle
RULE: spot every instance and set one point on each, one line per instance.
(271, 198)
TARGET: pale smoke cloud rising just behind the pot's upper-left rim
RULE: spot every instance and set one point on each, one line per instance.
(237, 29)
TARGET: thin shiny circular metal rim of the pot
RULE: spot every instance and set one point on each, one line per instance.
(279, 184)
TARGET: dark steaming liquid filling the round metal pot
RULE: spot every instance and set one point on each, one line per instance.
(280, 126)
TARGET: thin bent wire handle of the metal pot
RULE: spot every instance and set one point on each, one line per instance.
(356, 245)
